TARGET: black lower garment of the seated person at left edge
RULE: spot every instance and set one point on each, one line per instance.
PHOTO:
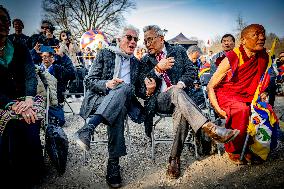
(21, 158)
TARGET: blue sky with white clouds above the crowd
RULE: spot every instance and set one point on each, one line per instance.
(202, 19)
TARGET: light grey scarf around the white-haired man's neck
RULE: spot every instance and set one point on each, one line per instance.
(119, 56)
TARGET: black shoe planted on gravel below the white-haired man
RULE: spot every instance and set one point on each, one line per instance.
(113, 177)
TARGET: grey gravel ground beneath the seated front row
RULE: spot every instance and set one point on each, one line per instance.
(138, 171)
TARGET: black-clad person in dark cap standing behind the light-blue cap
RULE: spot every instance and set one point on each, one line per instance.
(45, 37)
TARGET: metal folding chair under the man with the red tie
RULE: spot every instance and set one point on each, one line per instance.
(156, 140)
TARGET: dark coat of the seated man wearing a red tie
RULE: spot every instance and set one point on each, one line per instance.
(182, 70)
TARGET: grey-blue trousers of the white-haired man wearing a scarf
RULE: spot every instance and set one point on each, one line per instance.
(114, 110)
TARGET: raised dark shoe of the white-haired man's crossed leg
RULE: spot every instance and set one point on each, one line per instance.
(83, 136)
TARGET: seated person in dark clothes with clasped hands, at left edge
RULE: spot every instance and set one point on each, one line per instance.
(20, 146)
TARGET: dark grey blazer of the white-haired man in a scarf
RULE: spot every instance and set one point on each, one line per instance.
(101, 71)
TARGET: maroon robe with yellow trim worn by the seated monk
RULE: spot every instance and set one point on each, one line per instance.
(235, 92)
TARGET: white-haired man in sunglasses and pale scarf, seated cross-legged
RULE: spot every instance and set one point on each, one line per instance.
(111, 88)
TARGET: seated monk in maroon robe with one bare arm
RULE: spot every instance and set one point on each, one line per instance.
(232, 87)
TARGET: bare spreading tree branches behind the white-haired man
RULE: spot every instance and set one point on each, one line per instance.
(79, 16)
